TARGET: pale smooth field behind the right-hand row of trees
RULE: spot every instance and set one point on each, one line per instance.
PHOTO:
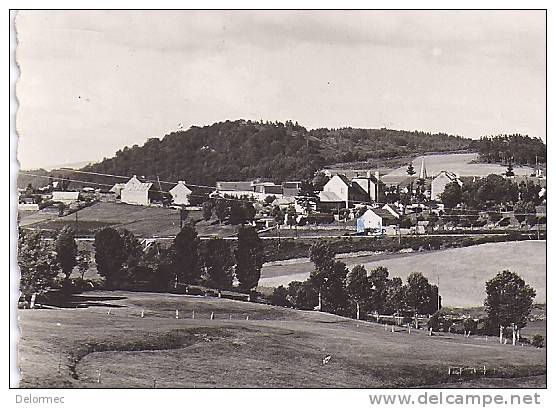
(462, 271)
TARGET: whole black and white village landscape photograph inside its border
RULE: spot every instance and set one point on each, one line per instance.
(280, 199)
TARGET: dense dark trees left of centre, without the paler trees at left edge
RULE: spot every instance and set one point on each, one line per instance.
(121, 260)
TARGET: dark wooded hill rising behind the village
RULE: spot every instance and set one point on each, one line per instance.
(239, 150)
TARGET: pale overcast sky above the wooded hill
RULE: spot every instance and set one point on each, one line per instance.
(93, 82)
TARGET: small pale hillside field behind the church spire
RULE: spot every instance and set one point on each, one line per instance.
(459, 163)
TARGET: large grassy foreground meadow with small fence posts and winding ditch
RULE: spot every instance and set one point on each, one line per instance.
(276, 347)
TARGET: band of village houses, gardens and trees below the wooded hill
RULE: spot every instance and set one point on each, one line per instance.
(364, 201)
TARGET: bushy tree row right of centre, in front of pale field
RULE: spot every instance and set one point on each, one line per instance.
(332, 288)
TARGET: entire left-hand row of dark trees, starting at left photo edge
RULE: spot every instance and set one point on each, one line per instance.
(123, 263)
